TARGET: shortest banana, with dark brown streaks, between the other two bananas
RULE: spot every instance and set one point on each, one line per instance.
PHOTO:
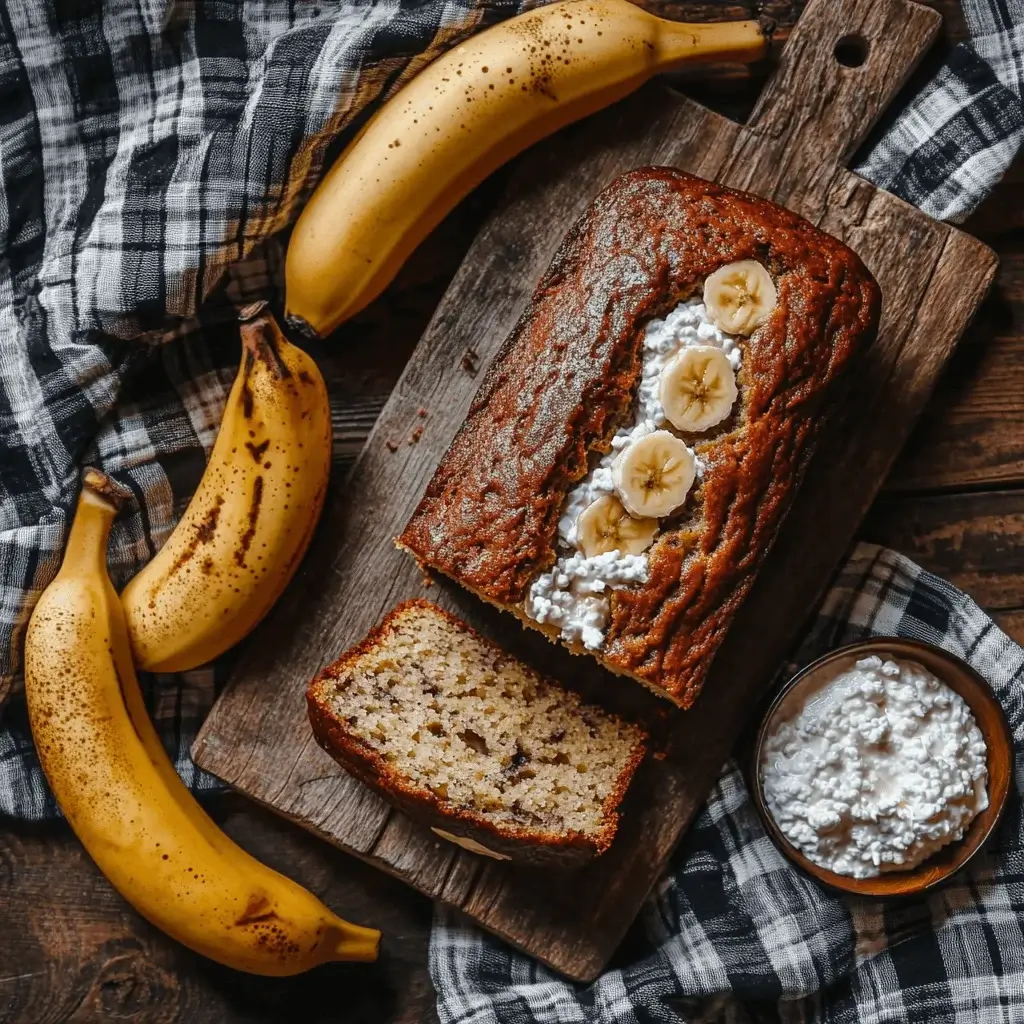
(252, 518)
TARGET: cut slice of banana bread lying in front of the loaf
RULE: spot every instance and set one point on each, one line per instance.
(471, 741)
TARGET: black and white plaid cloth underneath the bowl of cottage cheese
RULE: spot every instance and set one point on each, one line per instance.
(734, 926)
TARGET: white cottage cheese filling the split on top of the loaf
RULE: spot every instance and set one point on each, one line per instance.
(575, 594)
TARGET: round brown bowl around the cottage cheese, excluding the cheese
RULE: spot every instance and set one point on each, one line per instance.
(957, 675)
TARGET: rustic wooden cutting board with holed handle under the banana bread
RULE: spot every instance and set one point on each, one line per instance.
(812, 118)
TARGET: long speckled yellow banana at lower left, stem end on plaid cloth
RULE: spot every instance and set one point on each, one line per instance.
(121, 794)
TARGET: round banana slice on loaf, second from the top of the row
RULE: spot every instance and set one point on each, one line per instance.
(698, 389)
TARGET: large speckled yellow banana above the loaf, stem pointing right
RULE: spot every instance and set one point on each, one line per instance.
(463, 117)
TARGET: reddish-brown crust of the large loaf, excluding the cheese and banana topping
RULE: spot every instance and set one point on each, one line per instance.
(570, 370)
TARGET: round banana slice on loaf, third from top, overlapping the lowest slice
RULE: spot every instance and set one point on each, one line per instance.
(654, 475)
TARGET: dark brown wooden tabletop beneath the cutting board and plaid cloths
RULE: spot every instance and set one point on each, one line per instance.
(72, 951)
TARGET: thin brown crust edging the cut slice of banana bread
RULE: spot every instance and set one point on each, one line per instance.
(523, 844)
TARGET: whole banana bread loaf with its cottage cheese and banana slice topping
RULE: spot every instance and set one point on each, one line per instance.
(635, 446)
